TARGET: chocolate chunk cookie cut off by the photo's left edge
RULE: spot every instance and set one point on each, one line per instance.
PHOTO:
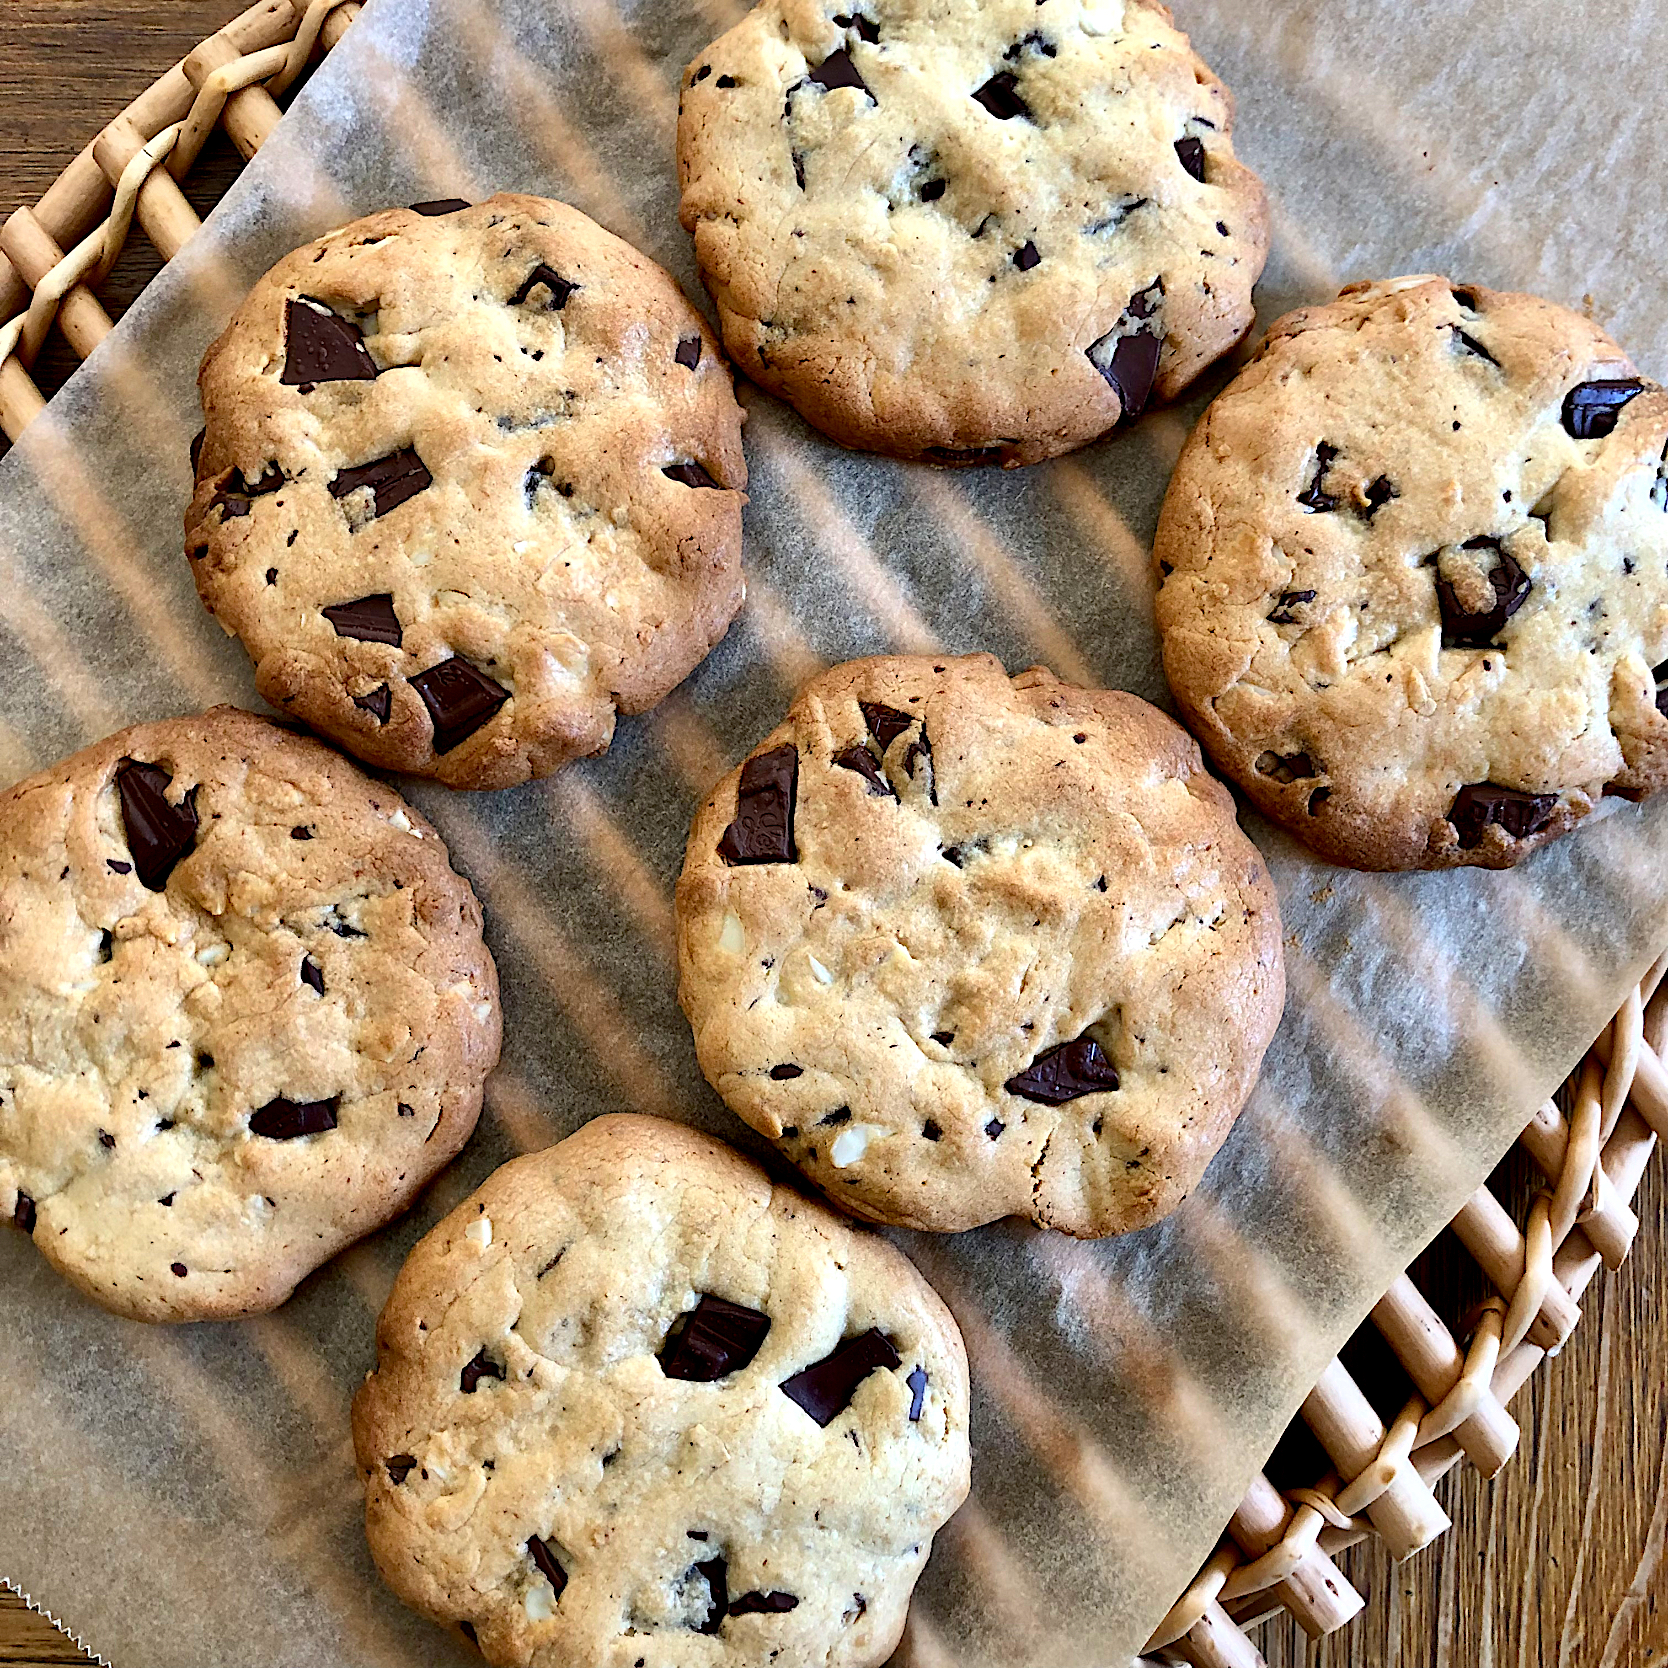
(246, 1013)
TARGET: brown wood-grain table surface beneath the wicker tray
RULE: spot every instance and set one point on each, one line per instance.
(1555, 1565)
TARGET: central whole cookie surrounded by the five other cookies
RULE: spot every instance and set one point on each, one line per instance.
(970, 947)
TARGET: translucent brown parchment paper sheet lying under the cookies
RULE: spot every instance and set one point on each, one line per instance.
(188, 1495)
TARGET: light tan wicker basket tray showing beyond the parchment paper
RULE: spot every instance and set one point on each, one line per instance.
(1452, 1377)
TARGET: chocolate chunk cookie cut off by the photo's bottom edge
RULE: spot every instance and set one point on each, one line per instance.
(636, 1407)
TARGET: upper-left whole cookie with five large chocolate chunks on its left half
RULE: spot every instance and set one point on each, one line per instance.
(471, 483)
